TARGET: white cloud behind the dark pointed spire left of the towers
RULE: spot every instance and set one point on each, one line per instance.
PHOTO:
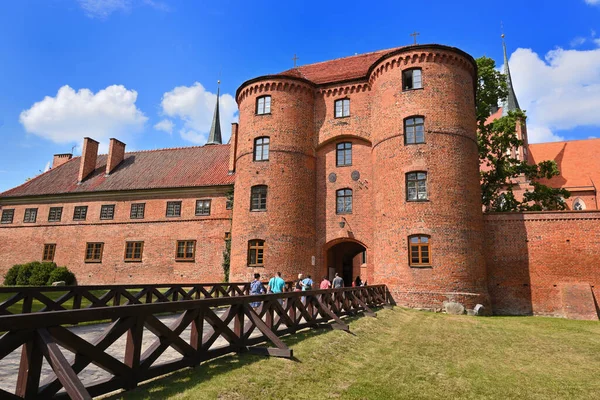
(195, 106)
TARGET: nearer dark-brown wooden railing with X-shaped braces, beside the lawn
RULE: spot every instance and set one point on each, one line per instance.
(200, 330)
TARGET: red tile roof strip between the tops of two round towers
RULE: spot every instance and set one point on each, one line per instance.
(340, 69)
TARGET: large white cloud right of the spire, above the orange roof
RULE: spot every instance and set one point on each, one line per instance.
(559, 92)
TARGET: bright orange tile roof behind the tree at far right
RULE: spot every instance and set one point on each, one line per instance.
(577, 160)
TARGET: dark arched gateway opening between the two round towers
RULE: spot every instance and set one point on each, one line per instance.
(344, 256)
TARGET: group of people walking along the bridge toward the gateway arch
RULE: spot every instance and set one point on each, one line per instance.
(277, 284)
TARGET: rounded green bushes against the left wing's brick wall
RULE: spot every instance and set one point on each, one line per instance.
(38, 273)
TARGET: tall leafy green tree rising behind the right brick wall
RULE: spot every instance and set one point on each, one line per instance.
(495, 139)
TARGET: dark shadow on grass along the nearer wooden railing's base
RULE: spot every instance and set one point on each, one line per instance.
(185, 379)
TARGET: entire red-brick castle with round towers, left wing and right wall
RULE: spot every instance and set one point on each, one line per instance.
(365, 165)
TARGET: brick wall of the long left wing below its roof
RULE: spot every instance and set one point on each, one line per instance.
(23, 242)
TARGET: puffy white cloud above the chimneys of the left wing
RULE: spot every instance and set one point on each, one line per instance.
(71, 115)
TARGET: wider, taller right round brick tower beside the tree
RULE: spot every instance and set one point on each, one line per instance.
(448, 215)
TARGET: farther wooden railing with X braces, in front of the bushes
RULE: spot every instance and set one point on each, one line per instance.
(21, 300)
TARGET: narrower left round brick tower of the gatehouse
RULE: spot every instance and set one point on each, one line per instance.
(287, 224)
